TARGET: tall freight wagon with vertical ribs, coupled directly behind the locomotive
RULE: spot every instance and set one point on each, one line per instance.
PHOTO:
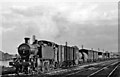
(67, 55)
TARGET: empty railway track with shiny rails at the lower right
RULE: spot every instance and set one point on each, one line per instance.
(104, 69)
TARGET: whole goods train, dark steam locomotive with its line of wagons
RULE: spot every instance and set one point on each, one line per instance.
(43, 56)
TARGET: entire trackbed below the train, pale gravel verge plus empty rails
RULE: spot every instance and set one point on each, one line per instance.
(90, 70)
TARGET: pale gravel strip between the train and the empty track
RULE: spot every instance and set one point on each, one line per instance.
(63, 72)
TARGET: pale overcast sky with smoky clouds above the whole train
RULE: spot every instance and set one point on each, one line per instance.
(90, 23)
